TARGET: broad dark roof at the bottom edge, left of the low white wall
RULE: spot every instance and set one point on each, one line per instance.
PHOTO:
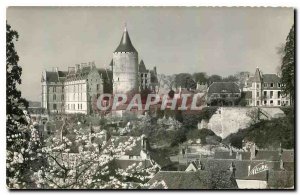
(179, 180)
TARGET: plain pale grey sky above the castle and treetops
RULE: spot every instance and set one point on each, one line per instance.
(219, 41)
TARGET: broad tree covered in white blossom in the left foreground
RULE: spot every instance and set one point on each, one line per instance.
(75, 161)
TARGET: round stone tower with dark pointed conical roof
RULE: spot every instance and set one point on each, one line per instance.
(125, 66)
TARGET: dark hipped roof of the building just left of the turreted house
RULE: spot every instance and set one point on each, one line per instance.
(223, 87)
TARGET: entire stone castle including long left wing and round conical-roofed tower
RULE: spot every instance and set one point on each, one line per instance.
(77, 89)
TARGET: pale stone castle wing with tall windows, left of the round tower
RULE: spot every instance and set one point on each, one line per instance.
(75, 91)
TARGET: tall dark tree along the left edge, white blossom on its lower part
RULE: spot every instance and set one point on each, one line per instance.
(20, 143)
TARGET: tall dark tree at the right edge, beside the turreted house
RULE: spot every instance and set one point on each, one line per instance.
(288, 66)
